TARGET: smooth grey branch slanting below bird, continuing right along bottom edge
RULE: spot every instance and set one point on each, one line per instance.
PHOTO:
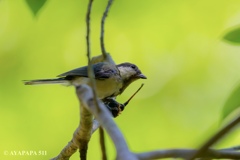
(85, 95)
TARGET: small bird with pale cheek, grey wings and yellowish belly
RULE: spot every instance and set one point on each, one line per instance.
(111, 80)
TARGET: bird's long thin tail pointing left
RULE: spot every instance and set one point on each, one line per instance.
(46, 81)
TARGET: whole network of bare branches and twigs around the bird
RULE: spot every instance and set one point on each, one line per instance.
(89, 104)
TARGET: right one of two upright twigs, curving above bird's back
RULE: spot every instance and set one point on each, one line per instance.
(104, 52)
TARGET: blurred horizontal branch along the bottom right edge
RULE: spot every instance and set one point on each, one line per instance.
(185, 153)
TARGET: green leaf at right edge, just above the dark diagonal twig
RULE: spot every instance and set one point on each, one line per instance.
(232, 103)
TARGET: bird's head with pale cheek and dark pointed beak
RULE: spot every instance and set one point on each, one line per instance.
(129, 73)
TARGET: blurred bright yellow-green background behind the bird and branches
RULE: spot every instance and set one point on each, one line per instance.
(177, 45)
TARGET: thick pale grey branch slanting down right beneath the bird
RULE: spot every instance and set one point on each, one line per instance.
(104, 117)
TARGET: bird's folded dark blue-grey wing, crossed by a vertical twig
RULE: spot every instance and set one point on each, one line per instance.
(101, 71)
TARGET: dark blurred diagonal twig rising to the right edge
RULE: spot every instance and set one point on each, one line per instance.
(216, 137)
